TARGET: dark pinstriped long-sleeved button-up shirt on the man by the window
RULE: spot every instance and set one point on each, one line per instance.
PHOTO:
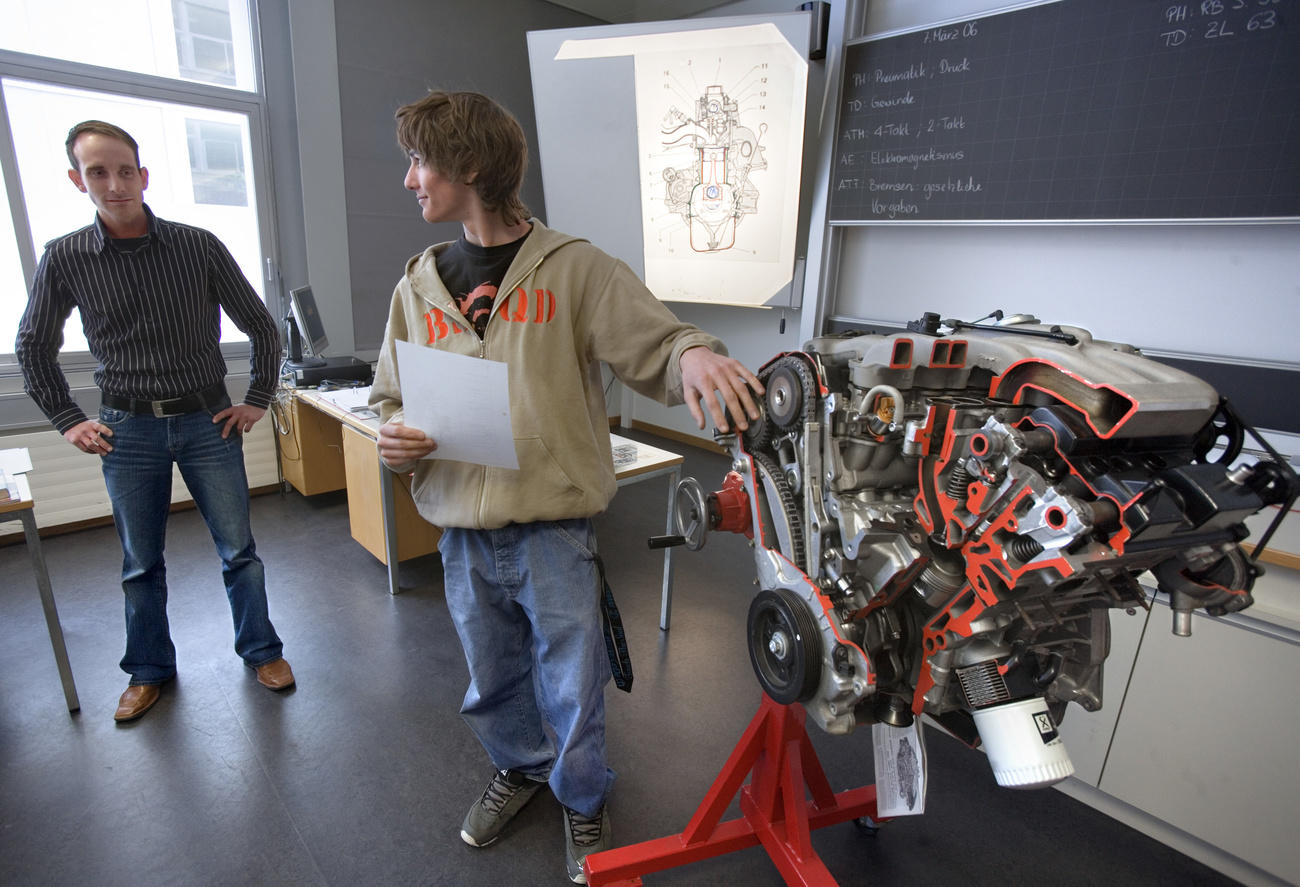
(151, 310)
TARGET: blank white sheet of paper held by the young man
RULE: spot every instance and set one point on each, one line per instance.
(463, 404)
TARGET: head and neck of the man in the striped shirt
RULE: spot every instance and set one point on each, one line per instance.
(107, 171)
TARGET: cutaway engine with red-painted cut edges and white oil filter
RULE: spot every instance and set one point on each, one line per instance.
(943, 520)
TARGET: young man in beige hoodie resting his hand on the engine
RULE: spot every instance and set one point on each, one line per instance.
(518, 546)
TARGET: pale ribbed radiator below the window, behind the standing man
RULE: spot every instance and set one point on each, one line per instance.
(68, 487)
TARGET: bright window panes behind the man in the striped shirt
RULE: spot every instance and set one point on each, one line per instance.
(197, 141)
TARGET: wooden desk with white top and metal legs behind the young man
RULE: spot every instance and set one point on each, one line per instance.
(328, 447)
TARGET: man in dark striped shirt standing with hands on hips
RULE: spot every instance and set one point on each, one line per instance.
(151, 293)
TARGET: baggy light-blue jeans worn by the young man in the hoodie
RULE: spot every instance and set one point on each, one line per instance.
(527, 609)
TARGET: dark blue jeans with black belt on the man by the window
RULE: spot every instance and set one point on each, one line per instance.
(138, 474)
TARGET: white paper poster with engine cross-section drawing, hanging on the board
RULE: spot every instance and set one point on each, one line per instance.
(721, 142)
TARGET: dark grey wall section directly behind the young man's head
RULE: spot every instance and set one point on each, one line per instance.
(392, 53)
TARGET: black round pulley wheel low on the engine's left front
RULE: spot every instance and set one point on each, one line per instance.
(785, 647)
